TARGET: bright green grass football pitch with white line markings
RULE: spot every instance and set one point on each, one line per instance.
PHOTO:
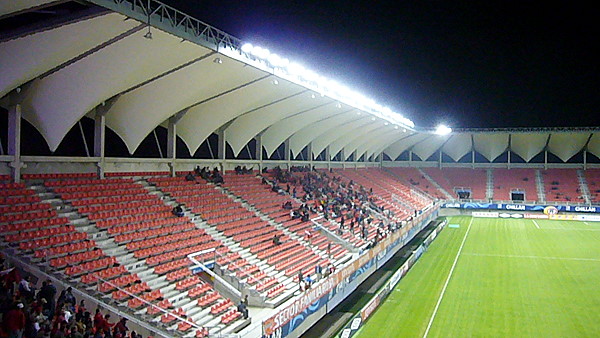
(499, 278)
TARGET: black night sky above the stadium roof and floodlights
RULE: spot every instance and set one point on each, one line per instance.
(466, 64)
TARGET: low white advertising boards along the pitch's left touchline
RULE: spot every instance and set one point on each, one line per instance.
(361, 317)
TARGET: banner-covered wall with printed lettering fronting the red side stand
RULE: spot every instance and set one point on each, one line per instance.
(297, 317)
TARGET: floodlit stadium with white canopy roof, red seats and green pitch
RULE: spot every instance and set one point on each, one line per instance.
(162, 177)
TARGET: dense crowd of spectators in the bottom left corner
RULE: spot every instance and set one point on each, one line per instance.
(30, 313)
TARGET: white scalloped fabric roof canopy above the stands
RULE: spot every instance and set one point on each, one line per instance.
(65, 72)
